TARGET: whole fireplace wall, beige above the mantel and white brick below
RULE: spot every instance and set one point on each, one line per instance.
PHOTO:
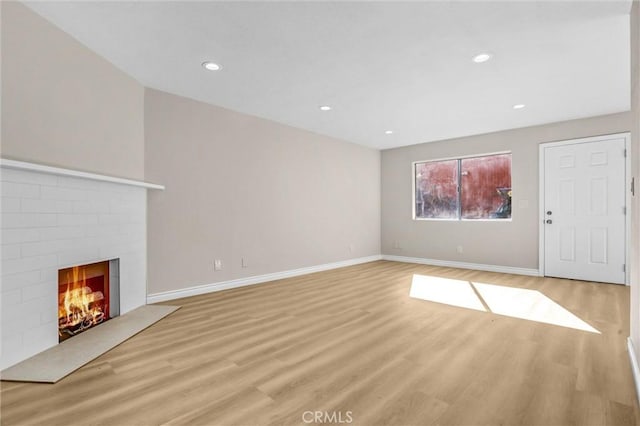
(64, 105)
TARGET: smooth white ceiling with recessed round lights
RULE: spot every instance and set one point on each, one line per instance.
(401, 66)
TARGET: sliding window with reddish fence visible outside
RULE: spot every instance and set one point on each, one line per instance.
(464, 188)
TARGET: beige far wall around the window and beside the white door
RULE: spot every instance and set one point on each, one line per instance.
(498, 243)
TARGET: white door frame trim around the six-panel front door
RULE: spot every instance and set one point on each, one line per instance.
(541, 185)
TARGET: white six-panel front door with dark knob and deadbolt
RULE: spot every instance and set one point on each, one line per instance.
(584, 210)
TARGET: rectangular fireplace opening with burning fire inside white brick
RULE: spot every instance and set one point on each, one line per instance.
(88, 295)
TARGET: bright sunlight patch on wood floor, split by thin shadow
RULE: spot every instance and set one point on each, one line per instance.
(519, 303)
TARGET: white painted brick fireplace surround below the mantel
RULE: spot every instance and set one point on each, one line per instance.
(49, 222)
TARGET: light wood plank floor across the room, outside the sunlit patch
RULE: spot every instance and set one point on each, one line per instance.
(352, 343)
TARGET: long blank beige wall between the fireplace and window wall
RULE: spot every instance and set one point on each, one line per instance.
(242, 187)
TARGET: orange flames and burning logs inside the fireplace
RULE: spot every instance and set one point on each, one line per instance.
(79, 307)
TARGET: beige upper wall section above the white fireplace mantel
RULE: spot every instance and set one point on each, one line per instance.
(62, 104)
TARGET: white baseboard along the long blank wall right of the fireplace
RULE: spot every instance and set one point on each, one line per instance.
(258, 279)
